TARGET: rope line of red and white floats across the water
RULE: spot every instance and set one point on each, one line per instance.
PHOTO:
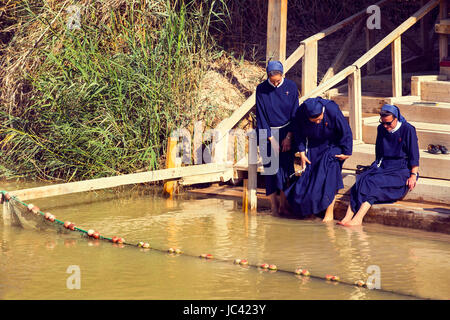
(94, 234)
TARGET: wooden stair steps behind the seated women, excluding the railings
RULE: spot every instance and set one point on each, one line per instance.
(428, 110)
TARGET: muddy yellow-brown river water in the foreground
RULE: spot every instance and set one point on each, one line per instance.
(40, 264)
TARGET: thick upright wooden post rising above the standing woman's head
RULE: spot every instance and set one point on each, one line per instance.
(276, 30)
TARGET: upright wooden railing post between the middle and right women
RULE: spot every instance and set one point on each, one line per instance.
(355, 103)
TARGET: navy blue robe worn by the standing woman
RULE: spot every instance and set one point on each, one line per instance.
(275, 108)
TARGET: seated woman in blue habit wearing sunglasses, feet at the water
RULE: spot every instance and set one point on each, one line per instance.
(395, 170)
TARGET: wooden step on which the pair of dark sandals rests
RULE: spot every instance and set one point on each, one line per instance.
(436, 166)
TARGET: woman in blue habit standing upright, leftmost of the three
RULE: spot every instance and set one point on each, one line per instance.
(276, 104)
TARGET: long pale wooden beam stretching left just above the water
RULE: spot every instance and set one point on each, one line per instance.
(116, 181)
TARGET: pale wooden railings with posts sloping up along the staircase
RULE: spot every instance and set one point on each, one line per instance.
(308, 52)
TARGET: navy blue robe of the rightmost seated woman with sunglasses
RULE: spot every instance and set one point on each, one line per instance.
(385, 180)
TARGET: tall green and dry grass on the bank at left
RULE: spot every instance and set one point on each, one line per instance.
(103, 99)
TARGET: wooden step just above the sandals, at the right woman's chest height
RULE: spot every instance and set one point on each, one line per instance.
(428, 133)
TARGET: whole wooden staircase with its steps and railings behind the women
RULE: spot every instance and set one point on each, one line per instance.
(423, 98)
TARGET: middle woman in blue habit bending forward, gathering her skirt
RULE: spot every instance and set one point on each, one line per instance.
(324, 141)
